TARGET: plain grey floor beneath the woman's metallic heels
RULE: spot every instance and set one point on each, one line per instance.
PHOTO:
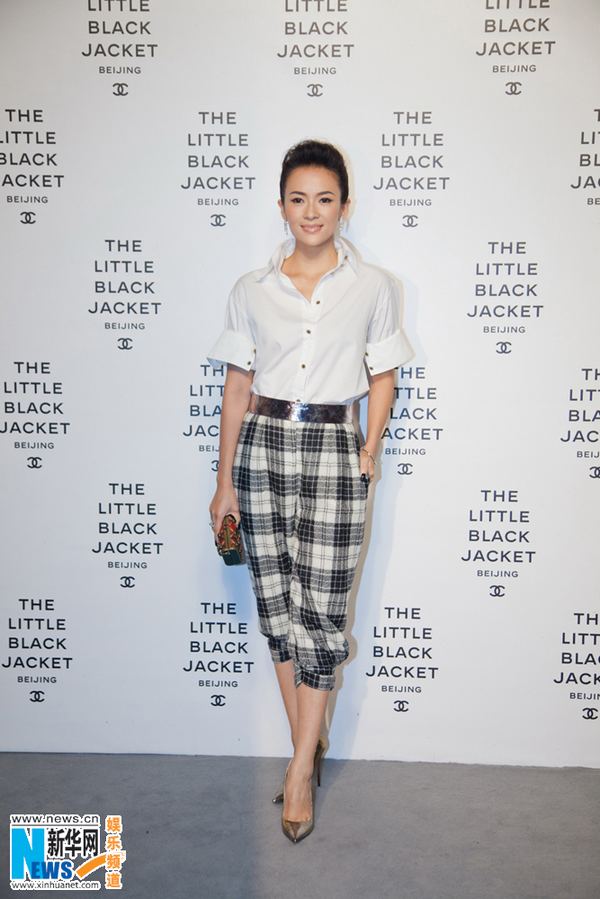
(205, 827)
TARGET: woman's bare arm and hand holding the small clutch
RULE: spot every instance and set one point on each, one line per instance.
(236, 399)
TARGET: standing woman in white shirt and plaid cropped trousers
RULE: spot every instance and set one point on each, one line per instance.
(304, 338)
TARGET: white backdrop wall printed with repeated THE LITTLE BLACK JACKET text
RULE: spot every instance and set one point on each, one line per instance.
(140, 149)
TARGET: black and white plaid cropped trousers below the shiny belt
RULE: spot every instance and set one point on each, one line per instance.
(303, 507)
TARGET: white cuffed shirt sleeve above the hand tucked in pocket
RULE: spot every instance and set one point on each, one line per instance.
(387, 344)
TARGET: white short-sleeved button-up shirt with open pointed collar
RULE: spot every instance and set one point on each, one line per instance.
(318, 350)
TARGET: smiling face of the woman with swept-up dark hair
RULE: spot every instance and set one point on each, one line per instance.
(312, 205)
